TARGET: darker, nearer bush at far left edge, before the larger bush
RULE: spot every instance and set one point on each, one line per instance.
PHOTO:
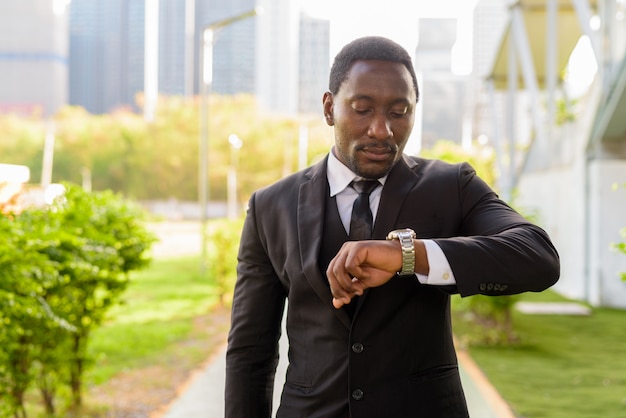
(25, 275)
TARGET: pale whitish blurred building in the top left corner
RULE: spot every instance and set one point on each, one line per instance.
(33, 63)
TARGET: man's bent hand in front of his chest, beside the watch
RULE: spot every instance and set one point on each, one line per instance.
(360, 265)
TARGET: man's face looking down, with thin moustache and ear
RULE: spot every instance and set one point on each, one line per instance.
(373, 114)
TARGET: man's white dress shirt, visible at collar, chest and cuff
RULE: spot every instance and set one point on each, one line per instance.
(339, 179)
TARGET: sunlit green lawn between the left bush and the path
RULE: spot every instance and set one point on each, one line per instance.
(158, 312)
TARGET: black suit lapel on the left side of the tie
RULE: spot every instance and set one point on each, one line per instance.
(311, 201)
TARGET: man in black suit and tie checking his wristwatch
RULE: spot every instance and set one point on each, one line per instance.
(368, 320)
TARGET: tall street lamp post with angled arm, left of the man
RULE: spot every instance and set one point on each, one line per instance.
(206, 81)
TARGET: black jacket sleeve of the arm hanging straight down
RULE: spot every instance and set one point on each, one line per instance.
(252, 354)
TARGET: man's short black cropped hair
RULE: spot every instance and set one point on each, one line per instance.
(368, 48)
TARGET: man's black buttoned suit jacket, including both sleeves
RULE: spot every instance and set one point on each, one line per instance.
(396, 357)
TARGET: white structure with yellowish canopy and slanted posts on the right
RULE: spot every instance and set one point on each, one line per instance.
(566, 164)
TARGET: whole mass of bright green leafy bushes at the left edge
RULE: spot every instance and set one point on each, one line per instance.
(63, 266)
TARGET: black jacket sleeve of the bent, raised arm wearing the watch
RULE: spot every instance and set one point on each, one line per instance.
(498, 251)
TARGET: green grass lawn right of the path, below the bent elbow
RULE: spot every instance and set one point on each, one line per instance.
(564, 366)
